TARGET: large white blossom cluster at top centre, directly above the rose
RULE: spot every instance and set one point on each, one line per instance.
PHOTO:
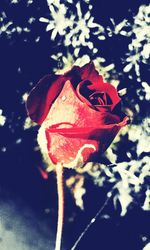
(75, 27)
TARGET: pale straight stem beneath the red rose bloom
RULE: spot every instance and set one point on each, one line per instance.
(60, 193)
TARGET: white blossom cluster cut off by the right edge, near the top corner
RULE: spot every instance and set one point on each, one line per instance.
(139, 48)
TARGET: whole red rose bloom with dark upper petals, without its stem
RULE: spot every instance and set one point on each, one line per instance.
(80, 113)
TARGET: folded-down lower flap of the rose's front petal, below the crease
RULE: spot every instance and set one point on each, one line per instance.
(64, 144)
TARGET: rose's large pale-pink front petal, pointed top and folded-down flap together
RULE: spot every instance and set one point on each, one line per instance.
(71, 124)
